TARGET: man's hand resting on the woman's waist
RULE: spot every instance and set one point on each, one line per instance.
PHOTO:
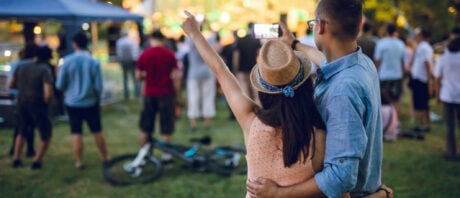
(261, 187)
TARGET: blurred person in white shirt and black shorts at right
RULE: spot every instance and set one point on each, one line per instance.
(422, 81)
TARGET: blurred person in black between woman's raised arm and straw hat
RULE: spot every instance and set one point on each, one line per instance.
(244, 58)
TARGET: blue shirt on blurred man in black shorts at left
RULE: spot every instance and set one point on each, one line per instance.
(80, 78)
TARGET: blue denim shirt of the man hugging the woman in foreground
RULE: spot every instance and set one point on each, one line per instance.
(347, 94)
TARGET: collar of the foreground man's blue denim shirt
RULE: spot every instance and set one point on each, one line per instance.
(327, 70)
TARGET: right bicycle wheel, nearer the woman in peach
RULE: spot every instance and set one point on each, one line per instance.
(227, 160)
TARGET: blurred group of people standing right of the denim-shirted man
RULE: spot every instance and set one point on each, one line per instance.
(405, 59)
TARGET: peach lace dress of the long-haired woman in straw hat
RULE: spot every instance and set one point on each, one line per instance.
(265, 157)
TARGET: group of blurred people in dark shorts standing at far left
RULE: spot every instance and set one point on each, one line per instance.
(77, 86)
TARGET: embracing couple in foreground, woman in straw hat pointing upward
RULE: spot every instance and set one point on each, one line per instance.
(285, 137)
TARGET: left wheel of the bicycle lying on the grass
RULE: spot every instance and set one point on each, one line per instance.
(119, 170)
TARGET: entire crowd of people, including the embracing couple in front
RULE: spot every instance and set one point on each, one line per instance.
(312, 105)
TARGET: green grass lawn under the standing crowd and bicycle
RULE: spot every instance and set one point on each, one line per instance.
(412, 168)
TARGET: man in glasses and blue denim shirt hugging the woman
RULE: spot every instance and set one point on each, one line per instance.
(348, 99)
